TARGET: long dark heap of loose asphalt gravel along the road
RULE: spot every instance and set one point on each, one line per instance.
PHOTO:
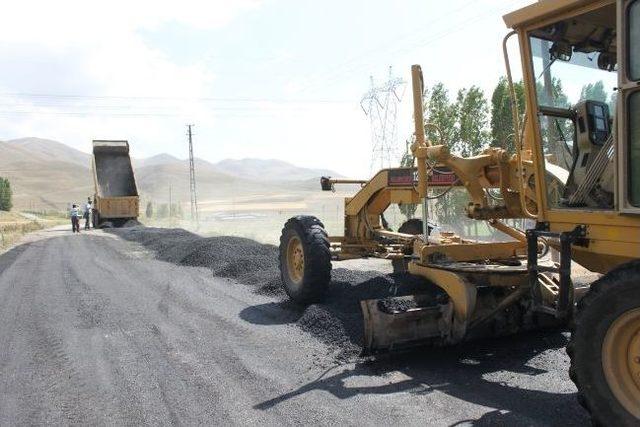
(337, 321)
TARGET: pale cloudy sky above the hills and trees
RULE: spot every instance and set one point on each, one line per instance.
(257, 78)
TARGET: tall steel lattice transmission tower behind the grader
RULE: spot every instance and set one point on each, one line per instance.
(381, 104)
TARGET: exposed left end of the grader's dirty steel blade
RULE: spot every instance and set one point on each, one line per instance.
(389, 325)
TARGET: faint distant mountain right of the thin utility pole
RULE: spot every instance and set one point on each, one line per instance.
(269, 170)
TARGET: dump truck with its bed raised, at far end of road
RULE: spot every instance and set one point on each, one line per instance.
(116, 199)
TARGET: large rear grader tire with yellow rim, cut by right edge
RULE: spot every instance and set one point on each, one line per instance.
(605, 348)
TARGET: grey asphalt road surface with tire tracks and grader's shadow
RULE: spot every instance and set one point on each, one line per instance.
(94, 331)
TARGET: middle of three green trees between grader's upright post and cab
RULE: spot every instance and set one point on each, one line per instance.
(471, 134)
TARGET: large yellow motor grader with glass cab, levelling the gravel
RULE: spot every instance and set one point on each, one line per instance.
(575, 174)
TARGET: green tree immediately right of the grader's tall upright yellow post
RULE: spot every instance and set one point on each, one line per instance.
(441, 113)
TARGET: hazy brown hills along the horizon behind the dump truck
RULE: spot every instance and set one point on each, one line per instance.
(47, 174)
